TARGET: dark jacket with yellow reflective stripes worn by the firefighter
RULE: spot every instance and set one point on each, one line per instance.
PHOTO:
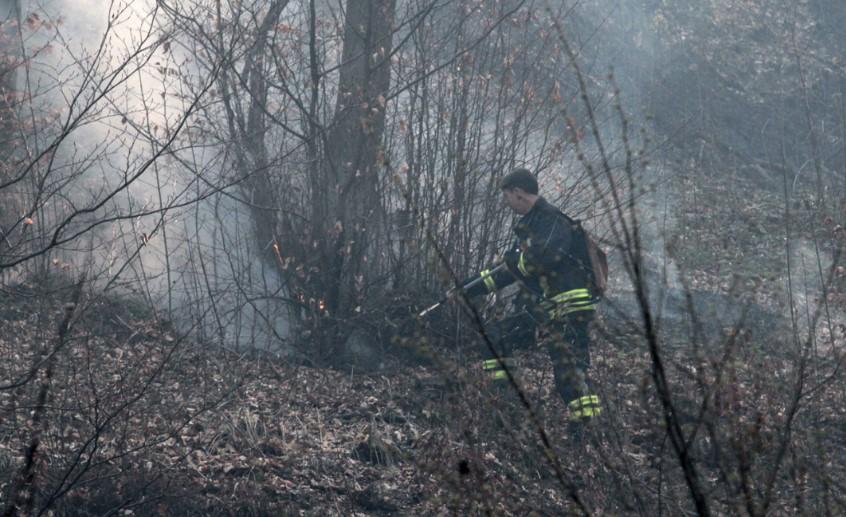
(549, 259)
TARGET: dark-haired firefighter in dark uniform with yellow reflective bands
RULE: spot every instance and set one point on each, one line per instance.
(550, 262)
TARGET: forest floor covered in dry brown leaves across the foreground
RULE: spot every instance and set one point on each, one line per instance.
(140, 420)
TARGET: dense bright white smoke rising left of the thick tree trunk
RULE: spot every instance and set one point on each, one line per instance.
(127, 179)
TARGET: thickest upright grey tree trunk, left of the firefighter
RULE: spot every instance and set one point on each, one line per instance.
(354, 149)
